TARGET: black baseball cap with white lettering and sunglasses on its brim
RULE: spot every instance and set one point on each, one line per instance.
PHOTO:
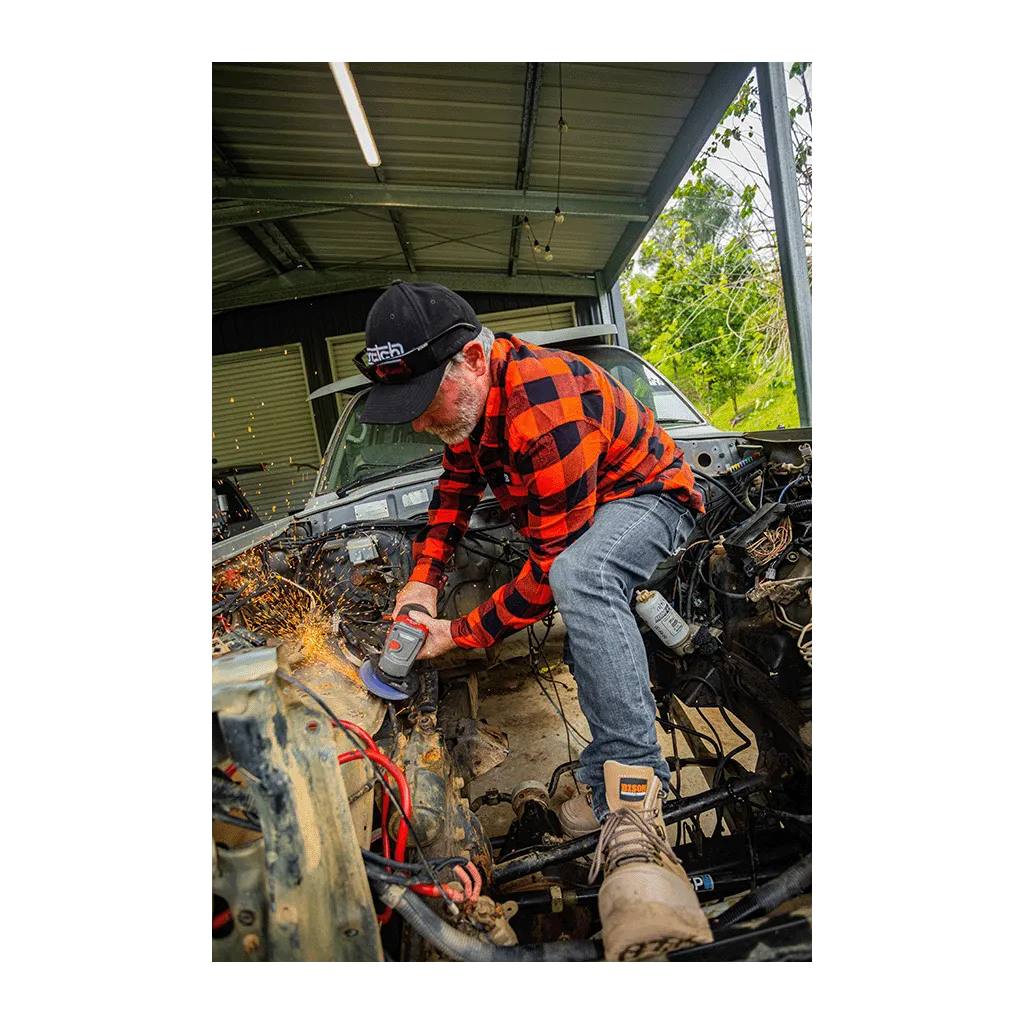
(413, 331)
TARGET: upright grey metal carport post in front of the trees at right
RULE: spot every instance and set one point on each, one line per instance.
(790, 232)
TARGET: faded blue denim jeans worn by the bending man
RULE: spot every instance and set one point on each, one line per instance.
(593, 581)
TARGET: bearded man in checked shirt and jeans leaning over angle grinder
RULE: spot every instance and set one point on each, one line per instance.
(604, 497)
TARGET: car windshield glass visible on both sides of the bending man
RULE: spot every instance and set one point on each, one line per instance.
(375, 451)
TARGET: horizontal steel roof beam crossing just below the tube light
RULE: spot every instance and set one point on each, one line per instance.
(431, 198)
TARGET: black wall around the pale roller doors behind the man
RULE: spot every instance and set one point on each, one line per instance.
(309, 322)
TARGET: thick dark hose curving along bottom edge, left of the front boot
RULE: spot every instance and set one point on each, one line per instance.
(461, 947)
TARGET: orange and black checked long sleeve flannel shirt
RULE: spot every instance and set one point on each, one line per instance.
(560, 438)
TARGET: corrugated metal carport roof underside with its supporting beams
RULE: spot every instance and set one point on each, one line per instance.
(468, 146)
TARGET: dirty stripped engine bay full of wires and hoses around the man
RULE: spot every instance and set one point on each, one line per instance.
(351, 830)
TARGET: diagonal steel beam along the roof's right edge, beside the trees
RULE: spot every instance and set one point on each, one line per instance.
(719, 92)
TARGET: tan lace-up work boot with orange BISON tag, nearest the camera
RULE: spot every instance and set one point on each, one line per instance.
(647, 903)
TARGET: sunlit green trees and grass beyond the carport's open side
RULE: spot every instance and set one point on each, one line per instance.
(704, 304)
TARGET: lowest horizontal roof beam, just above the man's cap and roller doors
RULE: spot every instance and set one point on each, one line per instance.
(306, 284)
